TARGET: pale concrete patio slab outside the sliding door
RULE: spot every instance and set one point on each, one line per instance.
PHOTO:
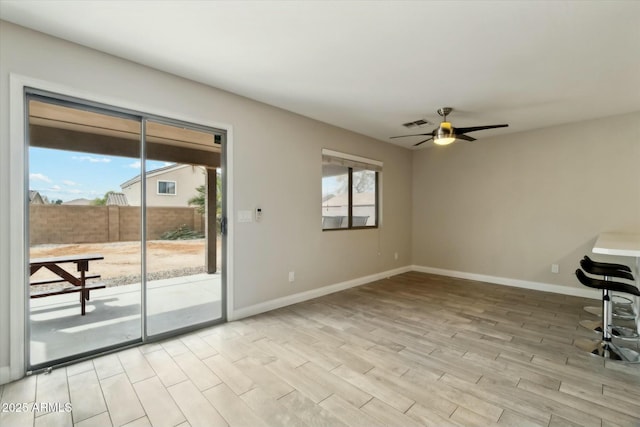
(113, 315)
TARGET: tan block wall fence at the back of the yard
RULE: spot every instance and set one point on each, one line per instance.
(60, 224)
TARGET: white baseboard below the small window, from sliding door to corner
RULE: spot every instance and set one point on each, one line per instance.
(314, 293)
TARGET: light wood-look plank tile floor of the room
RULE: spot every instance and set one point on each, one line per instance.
(412, 350)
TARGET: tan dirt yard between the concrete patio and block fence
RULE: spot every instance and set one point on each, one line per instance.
(122, 259)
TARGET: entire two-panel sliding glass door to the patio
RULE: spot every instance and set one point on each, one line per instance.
(122, 231)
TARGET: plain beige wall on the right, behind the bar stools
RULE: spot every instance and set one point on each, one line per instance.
(511, 206)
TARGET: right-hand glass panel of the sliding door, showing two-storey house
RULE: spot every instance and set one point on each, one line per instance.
(182, 274)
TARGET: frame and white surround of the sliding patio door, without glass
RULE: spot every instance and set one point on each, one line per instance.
(19, 291)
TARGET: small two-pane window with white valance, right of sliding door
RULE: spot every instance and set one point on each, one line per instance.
(349, 191)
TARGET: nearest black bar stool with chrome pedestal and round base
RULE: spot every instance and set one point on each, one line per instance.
(605, 347)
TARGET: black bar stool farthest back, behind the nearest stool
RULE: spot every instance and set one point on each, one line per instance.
(601, 269)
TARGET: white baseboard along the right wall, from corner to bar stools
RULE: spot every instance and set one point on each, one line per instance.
(536, 286)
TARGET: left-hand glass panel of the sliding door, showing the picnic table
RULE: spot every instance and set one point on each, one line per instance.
(77, 159)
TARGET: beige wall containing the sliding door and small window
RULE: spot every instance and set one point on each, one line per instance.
(276, 166)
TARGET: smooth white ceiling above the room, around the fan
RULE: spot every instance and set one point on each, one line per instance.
(369, 66)
